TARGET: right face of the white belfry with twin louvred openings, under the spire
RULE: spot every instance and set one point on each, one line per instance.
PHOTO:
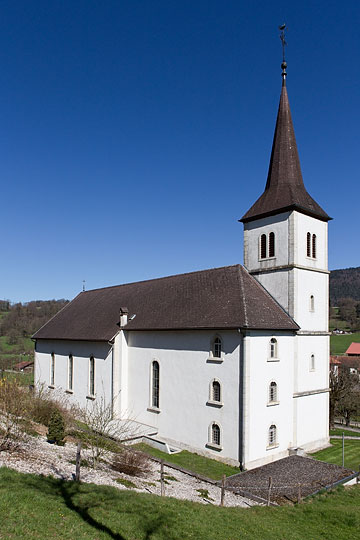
(302, 225)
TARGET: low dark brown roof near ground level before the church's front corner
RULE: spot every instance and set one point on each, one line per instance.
(288, 475)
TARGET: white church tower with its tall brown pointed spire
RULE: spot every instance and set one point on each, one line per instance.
(285, 249)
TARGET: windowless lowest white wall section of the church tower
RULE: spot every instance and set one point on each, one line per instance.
(312, 429)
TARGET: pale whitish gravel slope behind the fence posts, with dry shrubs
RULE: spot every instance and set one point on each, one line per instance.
(39, 457)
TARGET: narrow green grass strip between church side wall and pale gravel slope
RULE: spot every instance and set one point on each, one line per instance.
(192, 462)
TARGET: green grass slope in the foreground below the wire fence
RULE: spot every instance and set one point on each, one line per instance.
(38, 508)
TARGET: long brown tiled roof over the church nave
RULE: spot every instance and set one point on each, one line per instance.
(227, 297)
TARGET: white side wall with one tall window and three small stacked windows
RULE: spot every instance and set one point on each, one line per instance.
(185, 377)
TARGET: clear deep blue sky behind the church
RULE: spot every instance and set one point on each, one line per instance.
(134, 134)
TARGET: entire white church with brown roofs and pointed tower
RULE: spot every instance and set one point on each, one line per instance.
(230, 362)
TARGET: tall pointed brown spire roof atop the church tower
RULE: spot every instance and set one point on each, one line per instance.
(284, 188)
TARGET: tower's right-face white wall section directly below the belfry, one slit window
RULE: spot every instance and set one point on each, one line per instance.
(308, 283)
